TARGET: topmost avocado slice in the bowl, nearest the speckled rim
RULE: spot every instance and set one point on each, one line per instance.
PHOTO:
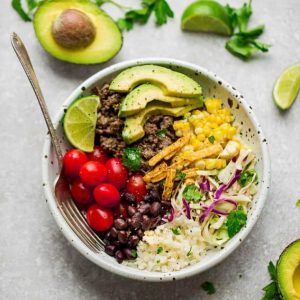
(173, 83)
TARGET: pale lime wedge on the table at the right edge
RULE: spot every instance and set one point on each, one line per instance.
(287, 87)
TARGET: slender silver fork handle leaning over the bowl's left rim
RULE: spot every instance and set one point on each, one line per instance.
(24, 59)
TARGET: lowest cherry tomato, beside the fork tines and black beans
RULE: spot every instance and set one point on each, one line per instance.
(99, 218)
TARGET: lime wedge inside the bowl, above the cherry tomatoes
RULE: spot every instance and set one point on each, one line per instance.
(80, 122)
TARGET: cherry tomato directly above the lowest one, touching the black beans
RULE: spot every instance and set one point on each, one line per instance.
(106, 195)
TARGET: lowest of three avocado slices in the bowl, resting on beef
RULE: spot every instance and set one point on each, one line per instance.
(134, 126)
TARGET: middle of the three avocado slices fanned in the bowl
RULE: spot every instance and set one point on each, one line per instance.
(139, 97)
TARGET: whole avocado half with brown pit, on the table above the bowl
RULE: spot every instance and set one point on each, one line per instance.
(77, 31)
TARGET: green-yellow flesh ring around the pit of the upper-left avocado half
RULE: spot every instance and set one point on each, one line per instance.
(107, 40)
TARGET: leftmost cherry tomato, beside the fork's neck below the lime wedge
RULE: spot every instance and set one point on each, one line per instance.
(73, 160)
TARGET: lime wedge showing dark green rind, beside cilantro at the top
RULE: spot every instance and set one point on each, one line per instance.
(207, 16)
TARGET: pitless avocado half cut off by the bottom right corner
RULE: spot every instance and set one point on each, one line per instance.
(288, 272)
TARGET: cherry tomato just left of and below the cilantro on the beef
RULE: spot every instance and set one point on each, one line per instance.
(117, 173)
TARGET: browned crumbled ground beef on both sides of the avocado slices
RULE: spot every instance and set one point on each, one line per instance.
(109, 128)
